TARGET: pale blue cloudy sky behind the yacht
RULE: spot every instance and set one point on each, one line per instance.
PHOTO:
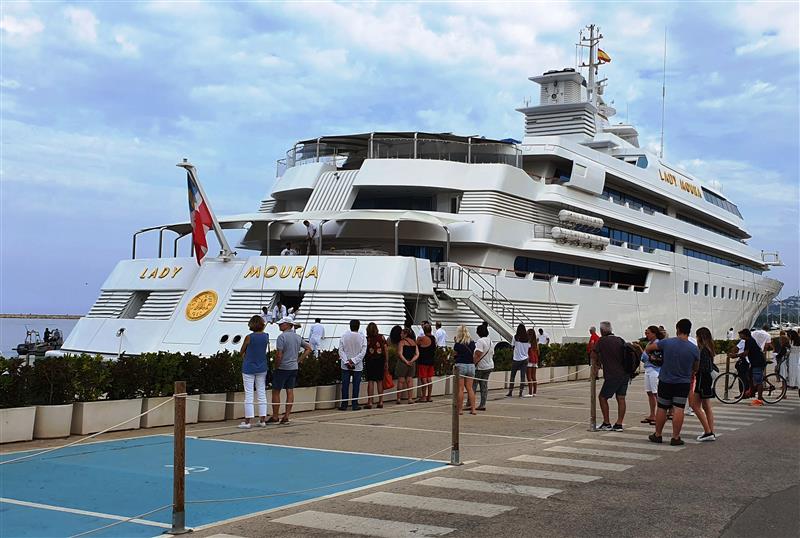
(100, 100)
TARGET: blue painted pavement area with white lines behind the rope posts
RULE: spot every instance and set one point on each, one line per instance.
(133, 476)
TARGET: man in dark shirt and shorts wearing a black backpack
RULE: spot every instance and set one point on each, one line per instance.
(610, 351)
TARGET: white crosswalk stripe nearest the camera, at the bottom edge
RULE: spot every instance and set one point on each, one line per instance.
(366, 526)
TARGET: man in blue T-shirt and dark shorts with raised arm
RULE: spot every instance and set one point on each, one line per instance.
(681, 360)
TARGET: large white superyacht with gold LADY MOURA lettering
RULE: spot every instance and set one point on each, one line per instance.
(573, 225)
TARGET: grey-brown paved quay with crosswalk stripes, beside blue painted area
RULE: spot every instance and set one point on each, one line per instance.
(531, 469)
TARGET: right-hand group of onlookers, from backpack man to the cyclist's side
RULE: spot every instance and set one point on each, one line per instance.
(680, 370)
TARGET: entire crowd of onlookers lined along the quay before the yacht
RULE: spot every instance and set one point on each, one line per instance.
(677, 370)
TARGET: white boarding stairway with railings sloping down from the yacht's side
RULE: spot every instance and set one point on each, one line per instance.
(479, 295)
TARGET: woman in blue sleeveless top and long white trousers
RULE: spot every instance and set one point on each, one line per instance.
(254, 371)
